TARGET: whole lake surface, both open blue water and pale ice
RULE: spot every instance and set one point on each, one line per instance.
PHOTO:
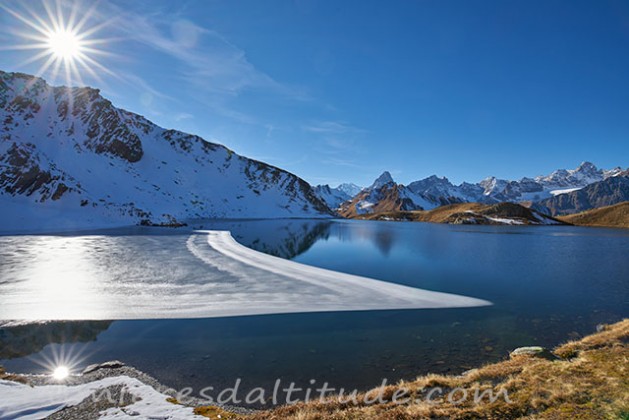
(546, 284)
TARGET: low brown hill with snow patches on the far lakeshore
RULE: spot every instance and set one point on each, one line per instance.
(471, 214)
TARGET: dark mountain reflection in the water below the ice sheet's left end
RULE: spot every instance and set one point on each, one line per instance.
(22, 340)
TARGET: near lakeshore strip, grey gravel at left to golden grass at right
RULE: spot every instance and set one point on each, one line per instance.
(591, 355)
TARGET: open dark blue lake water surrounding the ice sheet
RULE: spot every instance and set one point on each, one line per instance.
(548, 285)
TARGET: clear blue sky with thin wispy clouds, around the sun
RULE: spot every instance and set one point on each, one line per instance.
(339, 91)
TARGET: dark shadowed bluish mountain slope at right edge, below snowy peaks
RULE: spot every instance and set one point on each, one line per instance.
(611, 191)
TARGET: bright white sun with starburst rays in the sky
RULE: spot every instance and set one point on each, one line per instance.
(62, 40)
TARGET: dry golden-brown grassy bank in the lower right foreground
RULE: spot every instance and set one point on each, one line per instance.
(590, 381)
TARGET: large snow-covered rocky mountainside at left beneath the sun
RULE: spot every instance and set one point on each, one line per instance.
(69, 158)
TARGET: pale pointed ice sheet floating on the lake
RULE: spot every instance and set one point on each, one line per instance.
(206, 274)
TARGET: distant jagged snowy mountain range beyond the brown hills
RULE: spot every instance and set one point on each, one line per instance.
(385, 195)
